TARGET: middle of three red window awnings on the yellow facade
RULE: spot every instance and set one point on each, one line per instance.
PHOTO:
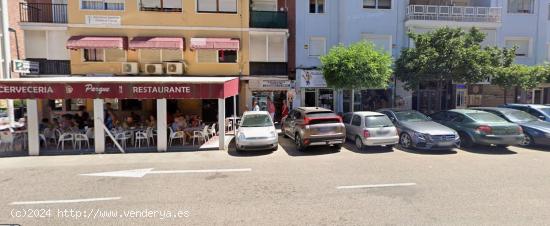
(157, 43)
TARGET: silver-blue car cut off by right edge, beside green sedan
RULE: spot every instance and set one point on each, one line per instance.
(535, 130)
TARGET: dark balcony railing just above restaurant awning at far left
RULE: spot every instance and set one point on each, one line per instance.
(50, 67)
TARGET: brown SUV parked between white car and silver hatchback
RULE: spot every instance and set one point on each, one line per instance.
(313, 126)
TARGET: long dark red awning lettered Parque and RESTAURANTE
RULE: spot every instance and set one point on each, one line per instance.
(120, 88)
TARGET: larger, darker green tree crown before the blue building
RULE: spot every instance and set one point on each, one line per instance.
(446, 54)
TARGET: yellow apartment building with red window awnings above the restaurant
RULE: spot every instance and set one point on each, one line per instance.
(219, 38)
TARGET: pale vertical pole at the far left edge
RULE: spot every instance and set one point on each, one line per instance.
(6, 52)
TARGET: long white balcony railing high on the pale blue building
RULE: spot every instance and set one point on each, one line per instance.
(454, 13)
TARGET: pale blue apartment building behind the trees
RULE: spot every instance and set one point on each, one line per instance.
(322, 24)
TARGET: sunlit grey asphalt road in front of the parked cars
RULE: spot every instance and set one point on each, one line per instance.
(487, 186)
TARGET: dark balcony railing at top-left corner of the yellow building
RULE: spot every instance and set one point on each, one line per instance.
(43, 13)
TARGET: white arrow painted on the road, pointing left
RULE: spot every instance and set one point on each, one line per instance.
(139, 173)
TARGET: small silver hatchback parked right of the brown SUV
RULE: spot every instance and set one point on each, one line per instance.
(367, 128)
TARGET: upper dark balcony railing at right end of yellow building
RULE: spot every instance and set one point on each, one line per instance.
(268, 19)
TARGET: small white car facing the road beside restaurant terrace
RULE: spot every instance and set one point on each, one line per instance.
(256, 132)
